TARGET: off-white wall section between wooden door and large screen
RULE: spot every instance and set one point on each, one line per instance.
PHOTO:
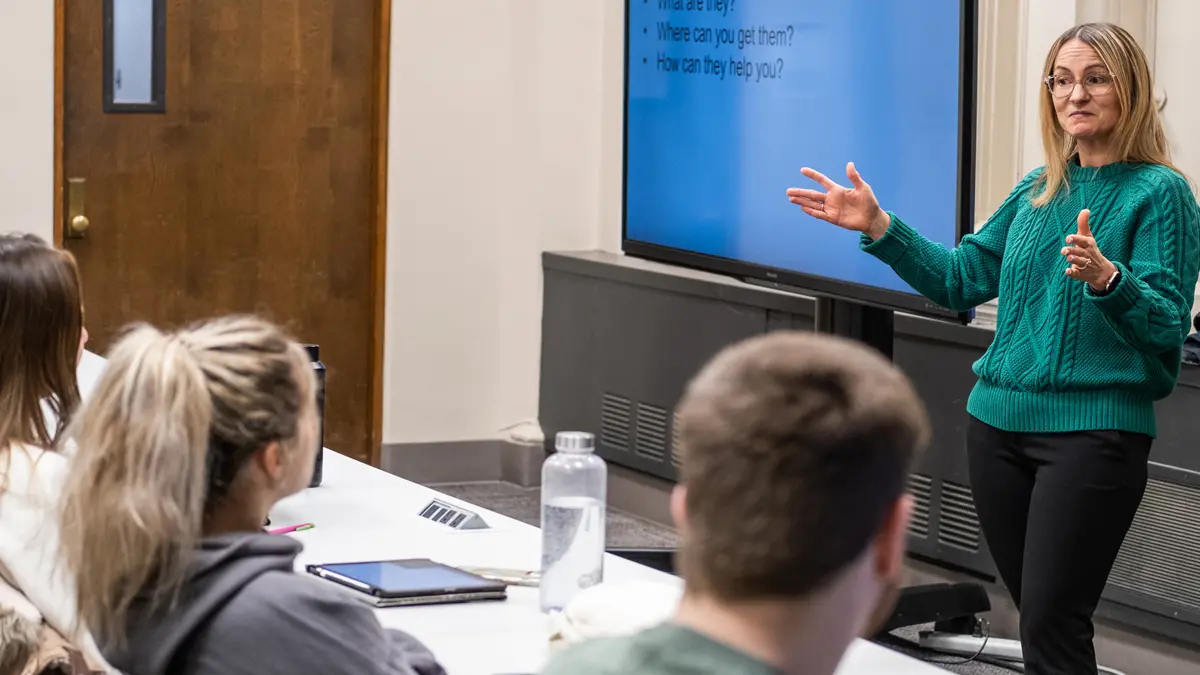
(501, 132)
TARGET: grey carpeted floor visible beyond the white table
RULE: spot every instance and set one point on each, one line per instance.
(629, 531)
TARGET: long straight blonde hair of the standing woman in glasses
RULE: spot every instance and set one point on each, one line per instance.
(1139, 135)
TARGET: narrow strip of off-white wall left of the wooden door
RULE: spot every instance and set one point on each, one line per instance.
(27, 117)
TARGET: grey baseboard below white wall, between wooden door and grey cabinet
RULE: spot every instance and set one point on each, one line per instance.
(465, 462)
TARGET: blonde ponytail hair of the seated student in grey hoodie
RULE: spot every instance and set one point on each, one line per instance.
(163, 439)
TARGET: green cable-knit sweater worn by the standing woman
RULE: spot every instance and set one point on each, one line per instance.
(1064, 359)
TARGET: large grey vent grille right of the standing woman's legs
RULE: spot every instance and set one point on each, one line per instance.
(1161, 557)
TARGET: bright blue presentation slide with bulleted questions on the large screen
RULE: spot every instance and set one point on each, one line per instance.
(729, 99)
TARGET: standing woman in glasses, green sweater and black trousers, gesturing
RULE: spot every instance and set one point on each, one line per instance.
(1095, 260)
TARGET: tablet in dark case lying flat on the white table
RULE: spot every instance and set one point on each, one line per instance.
(413, 582)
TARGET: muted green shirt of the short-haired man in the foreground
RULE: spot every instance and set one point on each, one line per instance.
(665, 650)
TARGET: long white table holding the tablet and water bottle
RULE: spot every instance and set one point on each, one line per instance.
(363, 513)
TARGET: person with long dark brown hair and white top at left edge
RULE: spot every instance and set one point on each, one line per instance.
(41, 341)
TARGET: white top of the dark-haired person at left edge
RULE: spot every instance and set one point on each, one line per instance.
(29, 539)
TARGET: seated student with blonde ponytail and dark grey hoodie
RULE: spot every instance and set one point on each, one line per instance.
(187, 444)
